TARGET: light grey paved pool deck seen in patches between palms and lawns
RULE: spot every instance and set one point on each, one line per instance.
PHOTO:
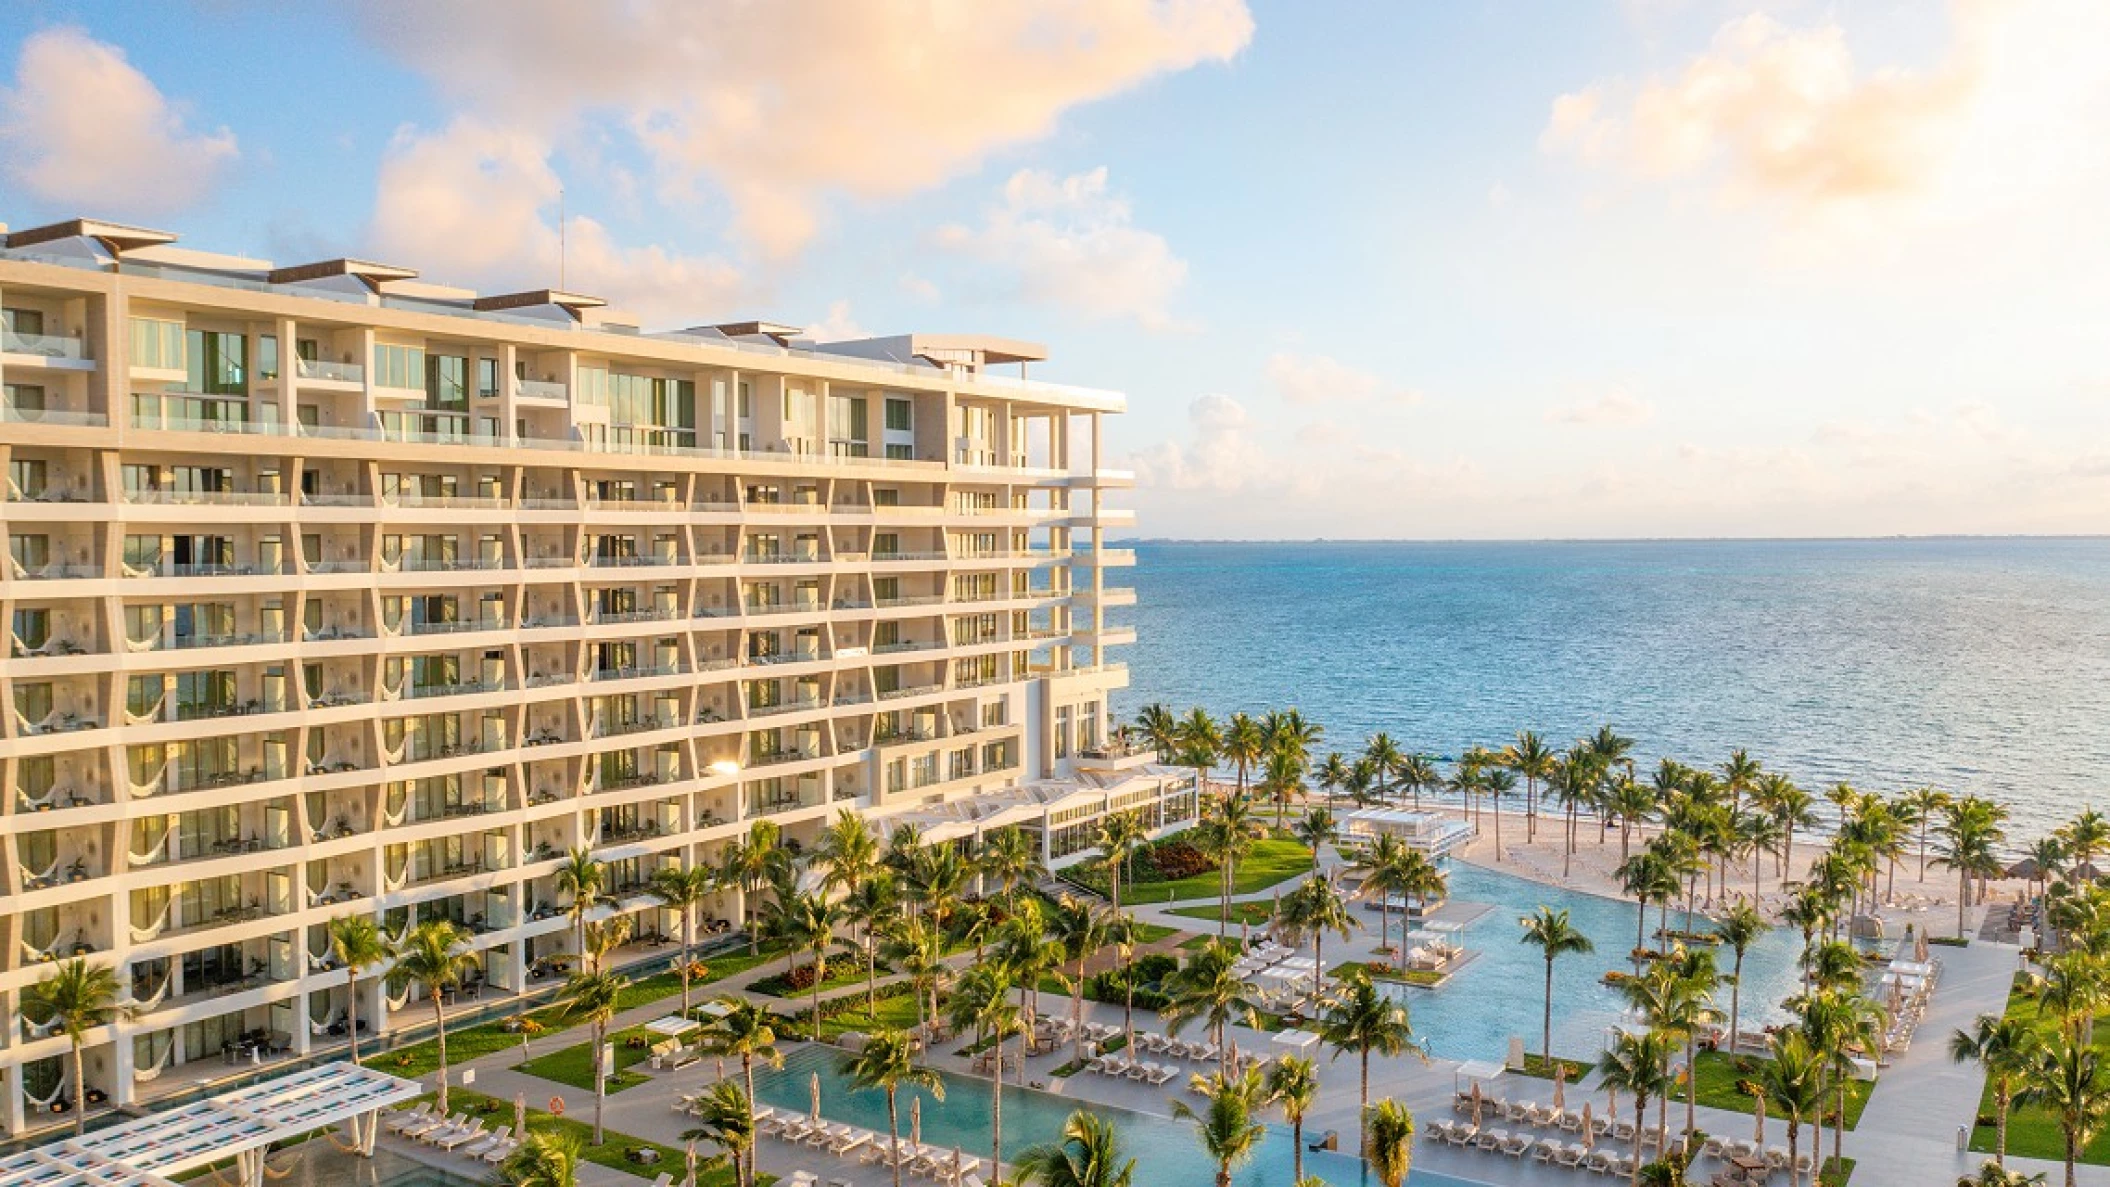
(1906, 1135)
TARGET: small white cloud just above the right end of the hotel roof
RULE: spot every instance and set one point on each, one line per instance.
(1067, 241)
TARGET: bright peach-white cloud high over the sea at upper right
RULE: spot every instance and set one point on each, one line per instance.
(1786, 113)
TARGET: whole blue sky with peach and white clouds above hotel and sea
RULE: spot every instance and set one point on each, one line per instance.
(1425, 269)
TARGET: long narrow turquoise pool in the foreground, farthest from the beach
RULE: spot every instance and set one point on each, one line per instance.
(1164, 1150)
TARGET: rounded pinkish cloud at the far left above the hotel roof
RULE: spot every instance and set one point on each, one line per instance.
(83, 128)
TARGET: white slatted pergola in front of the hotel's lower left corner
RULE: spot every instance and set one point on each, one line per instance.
(151, 1152)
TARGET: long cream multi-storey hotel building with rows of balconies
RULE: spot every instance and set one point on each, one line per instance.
(332, 589)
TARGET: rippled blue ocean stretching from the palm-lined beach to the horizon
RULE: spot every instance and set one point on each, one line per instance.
(1970, 665)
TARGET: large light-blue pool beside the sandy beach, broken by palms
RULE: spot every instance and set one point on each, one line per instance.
(1501, 990)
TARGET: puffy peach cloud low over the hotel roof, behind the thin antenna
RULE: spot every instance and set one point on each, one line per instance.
(472, 201)
